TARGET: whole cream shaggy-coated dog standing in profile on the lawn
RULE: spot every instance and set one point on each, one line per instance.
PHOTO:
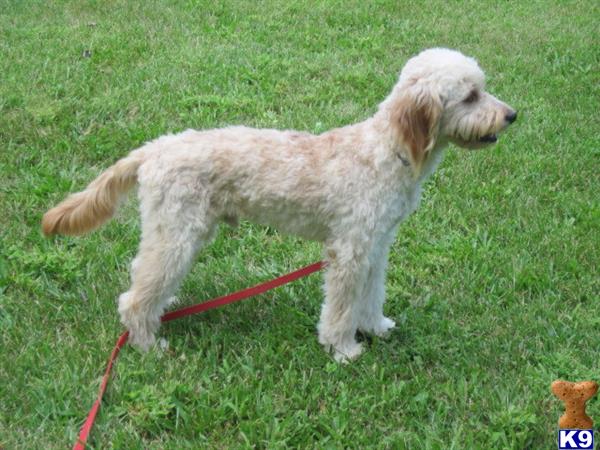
(348, 188)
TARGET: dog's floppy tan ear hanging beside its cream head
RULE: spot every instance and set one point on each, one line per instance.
(415, 116)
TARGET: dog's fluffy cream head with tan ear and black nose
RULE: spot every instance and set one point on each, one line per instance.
(441, 97)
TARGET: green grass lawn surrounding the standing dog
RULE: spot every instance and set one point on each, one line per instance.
(493, 282)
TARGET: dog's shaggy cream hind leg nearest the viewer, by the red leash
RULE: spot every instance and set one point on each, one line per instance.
(172, 233)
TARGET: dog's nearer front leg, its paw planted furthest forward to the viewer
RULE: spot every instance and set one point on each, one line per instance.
(344, 283)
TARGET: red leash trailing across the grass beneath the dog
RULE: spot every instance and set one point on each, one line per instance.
(215, 303)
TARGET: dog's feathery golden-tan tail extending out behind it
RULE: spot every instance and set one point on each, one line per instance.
(88, 209)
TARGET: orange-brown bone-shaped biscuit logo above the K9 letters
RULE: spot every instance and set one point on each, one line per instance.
(574, 395)
